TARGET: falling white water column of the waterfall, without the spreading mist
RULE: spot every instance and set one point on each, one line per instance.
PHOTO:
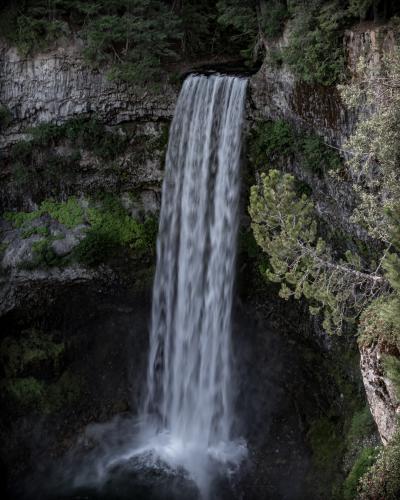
(189, 383)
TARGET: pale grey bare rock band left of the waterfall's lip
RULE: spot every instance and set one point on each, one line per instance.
(56, 86)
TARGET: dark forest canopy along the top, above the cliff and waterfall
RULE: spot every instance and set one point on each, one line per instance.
(142, 40)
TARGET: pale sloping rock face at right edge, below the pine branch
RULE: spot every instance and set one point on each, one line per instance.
(381, 394)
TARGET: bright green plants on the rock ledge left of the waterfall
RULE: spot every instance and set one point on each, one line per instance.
(110, 229)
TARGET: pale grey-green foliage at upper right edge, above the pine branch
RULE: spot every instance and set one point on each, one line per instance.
(374, 147)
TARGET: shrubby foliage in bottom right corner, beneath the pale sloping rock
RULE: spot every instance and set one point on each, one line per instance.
(383, 479)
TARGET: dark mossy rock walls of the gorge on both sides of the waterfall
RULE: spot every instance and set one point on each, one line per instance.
(96, 149)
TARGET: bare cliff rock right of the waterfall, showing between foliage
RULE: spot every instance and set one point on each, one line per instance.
(276, 94)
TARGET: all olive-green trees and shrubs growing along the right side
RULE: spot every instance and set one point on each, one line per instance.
(351, 287)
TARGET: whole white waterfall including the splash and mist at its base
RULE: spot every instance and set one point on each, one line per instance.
(186, 424)
